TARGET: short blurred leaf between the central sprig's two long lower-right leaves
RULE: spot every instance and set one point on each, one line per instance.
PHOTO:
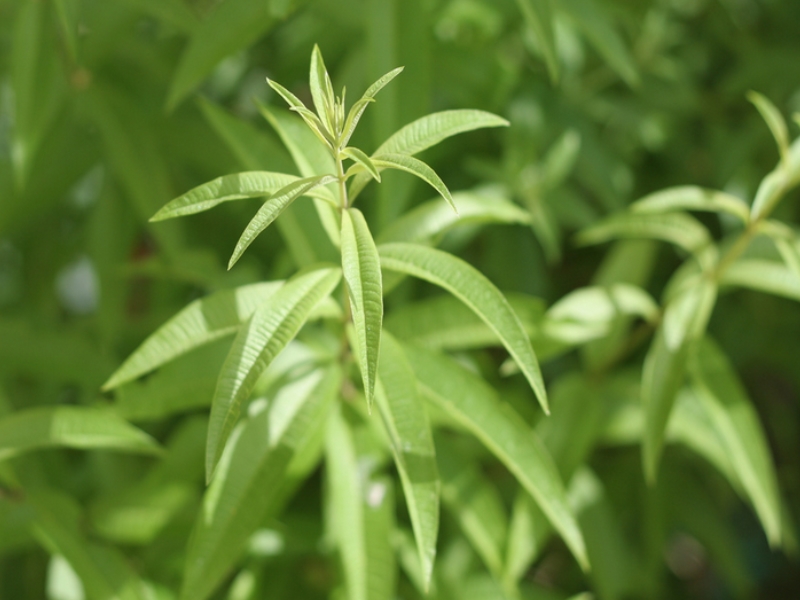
(477, 505)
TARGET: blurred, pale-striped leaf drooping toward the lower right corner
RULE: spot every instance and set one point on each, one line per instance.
(739, 428)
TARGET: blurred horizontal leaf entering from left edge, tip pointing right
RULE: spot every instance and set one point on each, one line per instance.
(71, 427)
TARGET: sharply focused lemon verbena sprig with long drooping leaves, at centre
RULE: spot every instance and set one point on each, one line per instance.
(313, 364)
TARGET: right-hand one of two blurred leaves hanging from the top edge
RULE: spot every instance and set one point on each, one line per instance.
(593, 21)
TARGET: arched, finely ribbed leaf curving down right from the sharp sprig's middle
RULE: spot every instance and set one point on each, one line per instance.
(476, 291)
